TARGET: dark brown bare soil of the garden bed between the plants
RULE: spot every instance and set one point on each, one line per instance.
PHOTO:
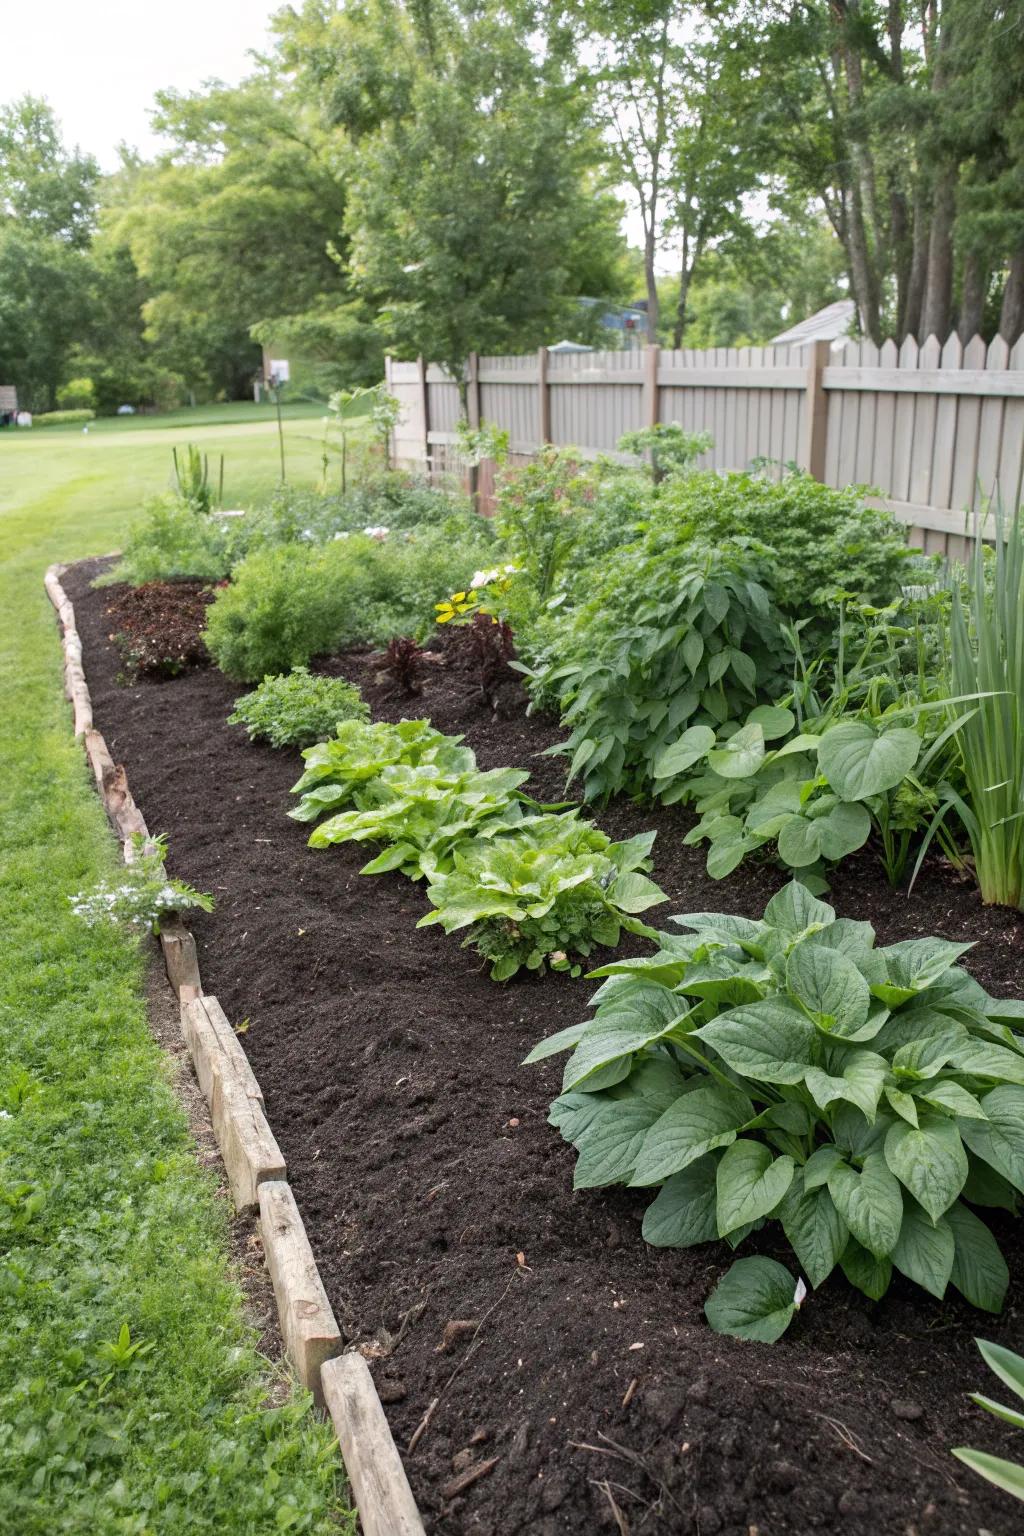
(441, 1207)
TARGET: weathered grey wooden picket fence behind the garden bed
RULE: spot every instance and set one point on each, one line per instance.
(936, 431)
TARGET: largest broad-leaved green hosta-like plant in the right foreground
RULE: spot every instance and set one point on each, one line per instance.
(867, 1099)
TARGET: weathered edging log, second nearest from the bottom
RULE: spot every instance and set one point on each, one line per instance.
(308, 1323)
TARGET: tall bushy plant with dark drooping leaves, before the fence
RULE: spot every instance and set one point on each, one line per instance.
(678, 637)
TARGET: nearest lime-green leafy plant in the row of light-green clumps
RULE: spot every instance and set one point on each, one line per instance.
(550, 889)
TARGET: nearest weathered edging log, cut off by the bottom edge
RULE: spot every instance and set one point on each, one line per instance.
(372, 1462)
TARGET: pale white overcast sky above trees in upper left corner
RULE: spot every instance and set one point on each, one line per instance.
(101, 62)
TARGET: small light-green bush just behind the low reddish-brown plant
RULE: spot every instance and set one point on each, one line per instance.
(173, 541)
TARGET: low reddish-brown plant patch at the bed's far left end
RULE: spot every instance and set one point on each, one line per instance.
(159, 627)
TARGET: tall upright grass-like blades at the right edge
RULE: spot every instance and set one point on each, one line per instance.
(988, 660)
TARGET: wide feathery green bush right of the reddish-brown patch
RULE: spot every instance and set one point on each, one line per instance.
(288, 604)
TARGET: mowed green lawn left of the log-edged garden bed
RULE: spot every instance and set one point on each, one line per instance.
(107, 1220)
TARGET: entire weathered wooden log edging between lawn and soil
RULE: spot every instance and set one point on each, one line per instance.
(256, 1168)
